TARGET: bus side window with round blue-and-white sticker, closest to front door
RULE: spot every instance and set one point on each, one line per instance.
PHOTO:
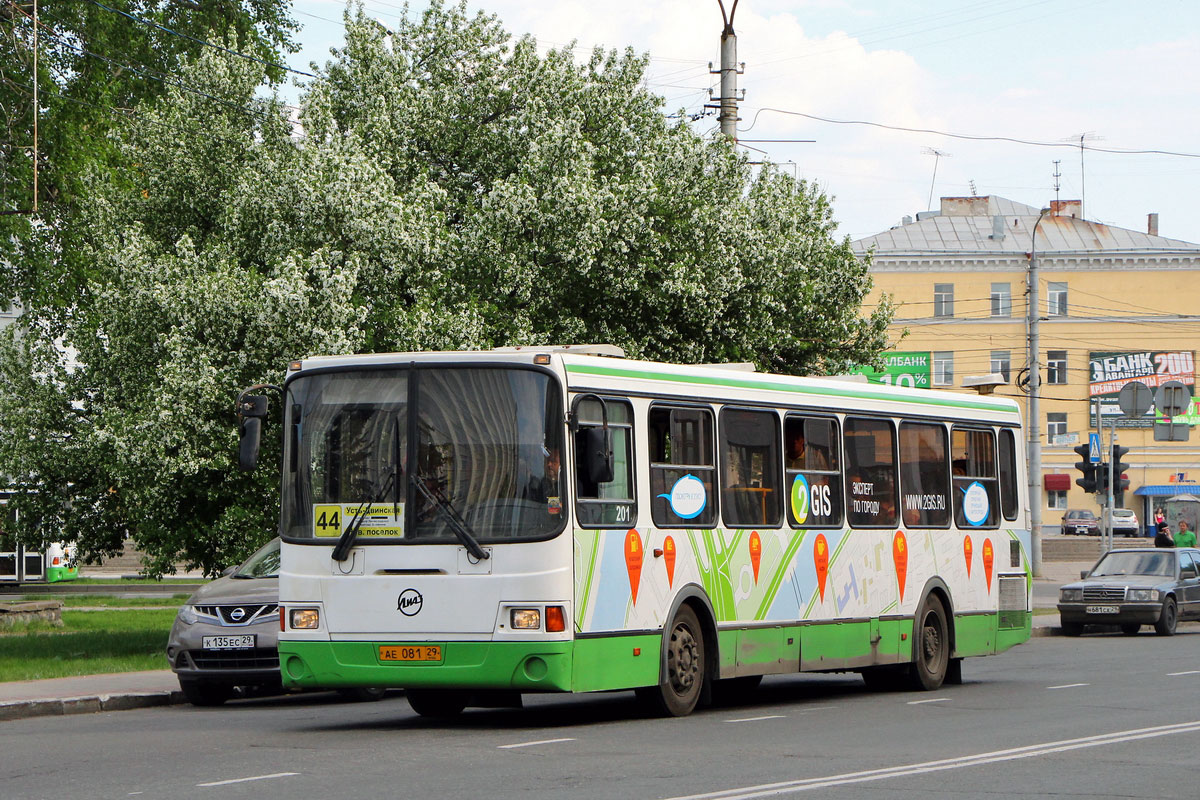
(683, 472)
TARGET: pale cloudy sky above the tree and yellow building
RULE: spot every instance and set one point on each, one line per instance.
(962, 76)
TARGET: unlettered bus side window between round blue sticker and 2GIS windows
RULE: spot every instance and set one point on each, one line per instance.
(749, 468)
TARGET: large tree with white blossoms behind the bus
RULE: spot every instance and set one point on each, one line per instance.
(449, 188)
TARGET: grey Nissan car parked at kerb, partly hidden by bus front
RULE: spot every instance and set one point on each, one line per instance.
(225, 639)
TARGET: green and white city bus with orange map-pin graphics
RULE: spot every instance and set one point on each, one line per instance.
(475, 526)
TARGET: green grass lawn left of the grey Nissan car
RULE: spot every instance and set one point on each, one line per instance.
(88, 643)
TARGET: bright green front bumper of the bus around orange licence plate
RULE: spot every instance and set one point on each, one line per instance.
(521, 666)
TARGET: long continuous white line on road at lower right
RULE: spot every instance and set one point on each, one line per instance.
(1029, 751)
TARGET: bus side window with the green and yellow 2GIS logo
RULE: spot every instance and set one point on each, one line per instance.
(813, 472)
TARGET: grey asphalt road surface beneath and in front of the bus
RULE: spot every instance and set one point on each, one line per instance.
(1102, 717)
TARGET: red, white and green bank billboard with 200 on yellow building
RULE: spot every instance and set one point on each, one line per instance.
(1108, 372)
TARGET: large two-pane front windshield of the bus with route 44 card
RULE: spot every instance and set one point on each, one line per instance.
(400, 452)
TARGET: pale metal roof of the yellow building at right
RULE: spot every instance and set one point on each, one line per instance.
(999, 226)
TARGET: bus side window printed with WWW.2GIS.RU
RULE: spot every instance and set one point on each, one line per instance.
(925, 476)
